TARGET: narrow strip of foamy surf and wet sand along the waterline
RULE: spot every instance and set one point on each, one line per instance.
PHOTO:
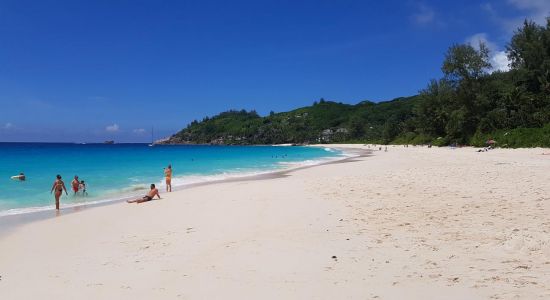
(10, 222)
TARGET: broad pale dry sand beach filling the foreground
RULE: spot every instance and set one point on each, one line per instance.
(410, 223)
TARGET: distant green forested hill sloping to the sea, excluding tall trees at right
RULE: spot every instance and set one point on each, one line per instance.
(324, 121)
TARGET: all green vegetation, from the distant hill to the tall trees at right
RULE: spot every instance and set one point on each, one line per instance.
(468, 105)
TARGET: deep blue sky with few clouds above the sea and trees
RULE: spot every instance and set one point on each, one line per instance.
(73, 71)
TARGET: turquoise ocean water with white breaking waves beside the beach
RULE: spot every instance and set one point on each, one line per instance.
(117, 171)
